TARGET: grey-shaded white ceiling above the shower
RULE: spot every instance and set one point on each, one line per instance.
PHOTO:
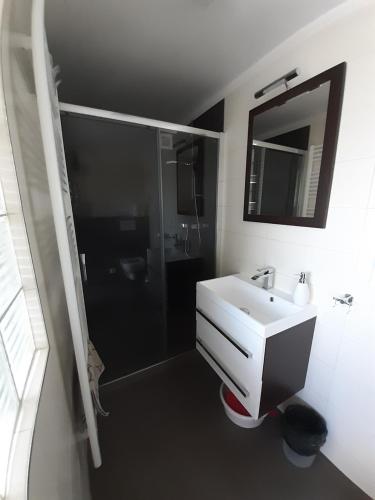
(164, 58)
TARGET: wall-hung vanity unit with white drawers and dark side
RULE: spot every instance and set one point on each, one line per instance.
(261, 370)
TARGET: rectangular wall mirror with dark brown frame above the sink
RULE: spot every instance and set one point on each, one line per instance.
(291, 152)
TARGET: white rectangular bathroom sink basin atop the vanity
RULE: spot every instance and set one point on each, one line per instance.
(266, 312)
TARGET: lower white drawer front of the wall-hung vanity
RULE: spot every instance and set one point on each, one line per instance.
(230, 354)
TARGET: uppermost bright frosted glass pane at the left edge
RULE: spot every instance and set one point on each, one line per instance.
(10, 281)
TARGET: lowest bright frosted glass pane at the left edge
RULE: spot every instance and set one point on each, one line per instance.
(8, 415)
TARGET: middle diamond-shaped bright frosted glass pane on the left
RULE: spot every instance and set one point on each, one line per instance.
(16, 331)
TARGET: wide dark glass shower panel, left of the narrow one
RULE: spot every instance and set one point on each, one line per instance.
(114, 181)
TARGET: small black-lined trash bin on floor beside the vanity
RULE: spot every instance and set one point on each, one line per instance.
(304, 432)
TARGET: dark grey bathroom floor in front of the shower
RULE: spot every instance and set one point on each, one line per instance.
(167, 438)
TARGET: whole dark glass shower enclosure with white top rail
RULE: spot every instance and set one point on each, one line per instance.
(144, 205)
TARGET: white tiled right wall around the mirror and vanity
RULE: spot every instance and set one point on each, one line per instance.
(341, 258)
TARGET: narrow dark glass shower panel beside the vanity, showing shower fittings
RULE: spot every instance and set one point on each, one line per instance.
(189, 184)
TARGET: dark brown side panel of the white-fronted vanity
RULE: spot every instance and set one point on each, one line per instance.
(285, 364)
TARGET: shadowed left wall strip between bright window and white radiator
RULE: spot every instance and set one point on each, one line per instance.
(58, 467)
